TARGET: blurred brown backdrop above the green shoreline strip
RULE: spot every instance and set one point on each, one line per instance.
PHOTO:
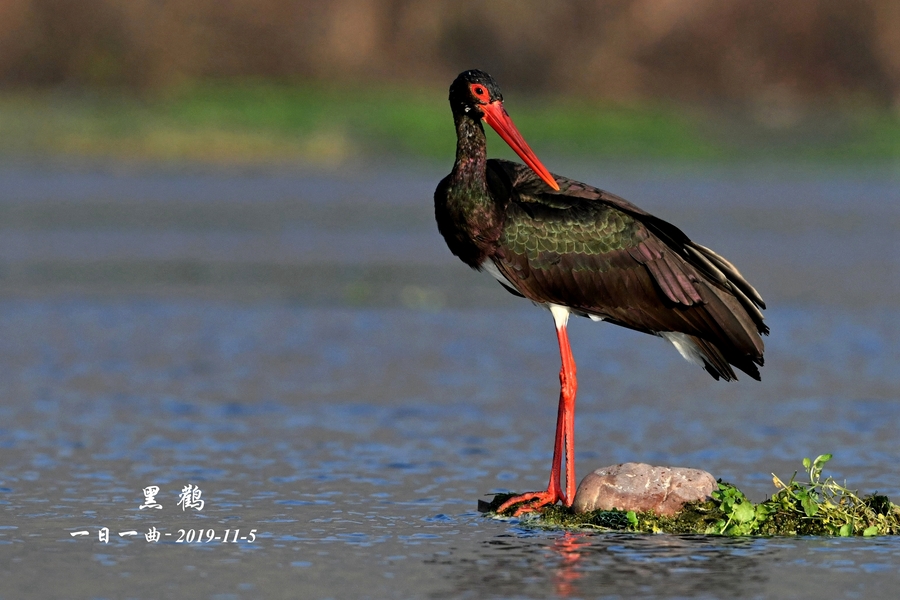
(738, 51)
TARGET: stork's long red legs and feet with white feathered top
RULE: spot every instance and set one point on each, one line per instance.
(564, 446)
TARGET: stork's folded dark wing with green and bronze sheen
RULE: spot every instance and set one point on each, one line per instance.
(600, 255)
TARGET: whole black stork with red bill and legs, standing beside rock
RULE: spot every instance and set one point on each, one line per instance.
(576, 249)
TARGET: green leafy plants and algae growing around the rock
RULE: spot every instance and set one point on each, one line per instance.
(817, 507)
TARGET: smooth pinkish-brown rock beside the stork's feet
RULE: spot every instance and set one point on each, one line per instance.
(641, 487)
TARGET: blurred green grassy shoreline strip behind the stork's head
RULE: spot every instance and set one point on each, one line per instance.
(265, 123)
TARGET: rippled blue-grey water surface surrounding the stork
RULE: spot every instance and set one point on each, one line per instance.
(350, 395)
